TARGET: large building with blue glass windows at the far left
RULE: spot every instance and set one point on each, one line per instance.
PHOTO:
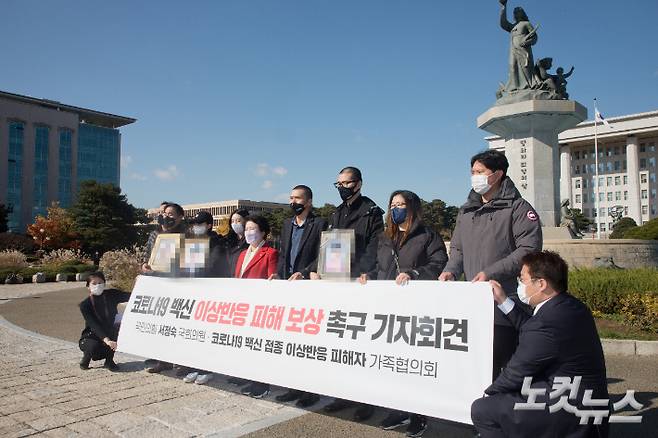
(47, 148)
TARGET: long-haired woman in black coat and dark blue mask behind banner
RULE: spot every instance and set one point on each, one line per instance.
(407, 250)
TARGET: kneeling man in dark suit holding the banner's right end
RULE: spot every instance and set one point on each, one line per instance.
(559, 341)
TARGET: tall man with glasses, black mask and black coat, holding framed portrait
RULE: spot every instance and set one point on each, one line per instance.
(361, 214)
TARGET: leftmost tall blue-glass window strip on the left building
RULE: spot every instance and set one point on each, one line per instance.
(15, 176)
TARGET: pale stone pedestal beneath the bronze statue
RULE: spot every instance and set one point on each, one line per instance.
(530, 129)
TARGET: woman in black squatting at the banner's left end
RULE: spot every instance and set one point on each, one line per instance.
(98, 339)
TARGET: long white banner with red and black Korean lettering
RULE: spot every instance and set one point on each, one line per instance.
(425, 347)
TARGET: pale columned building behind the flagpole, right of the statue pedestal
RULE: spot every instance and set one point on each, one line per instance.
(627, 158)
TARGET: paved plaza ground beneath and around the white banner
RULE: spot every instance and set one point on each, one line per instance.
(43, 391)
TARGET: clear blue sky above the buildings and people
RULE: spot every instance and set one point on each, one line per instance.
(245, 99)
